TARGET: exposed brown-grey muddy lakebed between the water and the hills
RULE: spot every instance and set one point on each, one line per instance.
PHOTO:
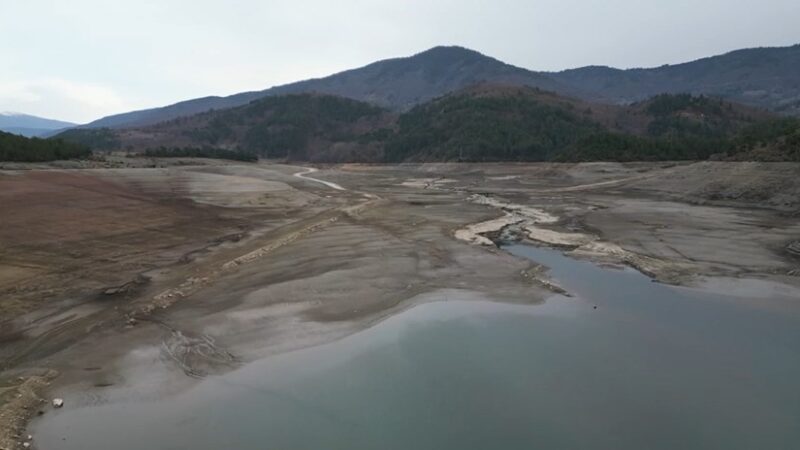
(175, 272)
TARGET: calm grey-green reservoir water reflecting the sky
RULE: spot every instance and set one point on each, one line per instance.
(653, 367)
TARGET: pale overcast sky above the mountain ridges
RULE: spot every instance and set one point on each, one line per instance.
(82, 59)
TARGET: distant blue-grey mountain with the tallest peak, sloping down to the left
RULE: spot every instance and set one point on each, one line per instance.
(396, 84)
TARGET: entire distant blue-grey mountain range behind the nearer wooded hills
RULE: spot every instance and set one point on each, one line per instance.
(763, 77)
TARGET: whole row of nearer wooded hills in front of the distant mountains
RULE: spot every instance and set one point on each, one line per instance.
(485, 122)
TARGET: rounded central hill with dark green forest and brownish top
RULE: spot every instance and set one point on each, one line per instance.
(490, 123)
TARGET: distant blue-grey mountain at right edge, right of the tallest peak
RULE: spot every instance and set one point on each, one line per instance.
(764, 77)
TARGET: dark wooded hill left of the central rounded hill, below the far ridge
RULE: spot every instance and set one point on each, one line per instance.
(295, 126)
